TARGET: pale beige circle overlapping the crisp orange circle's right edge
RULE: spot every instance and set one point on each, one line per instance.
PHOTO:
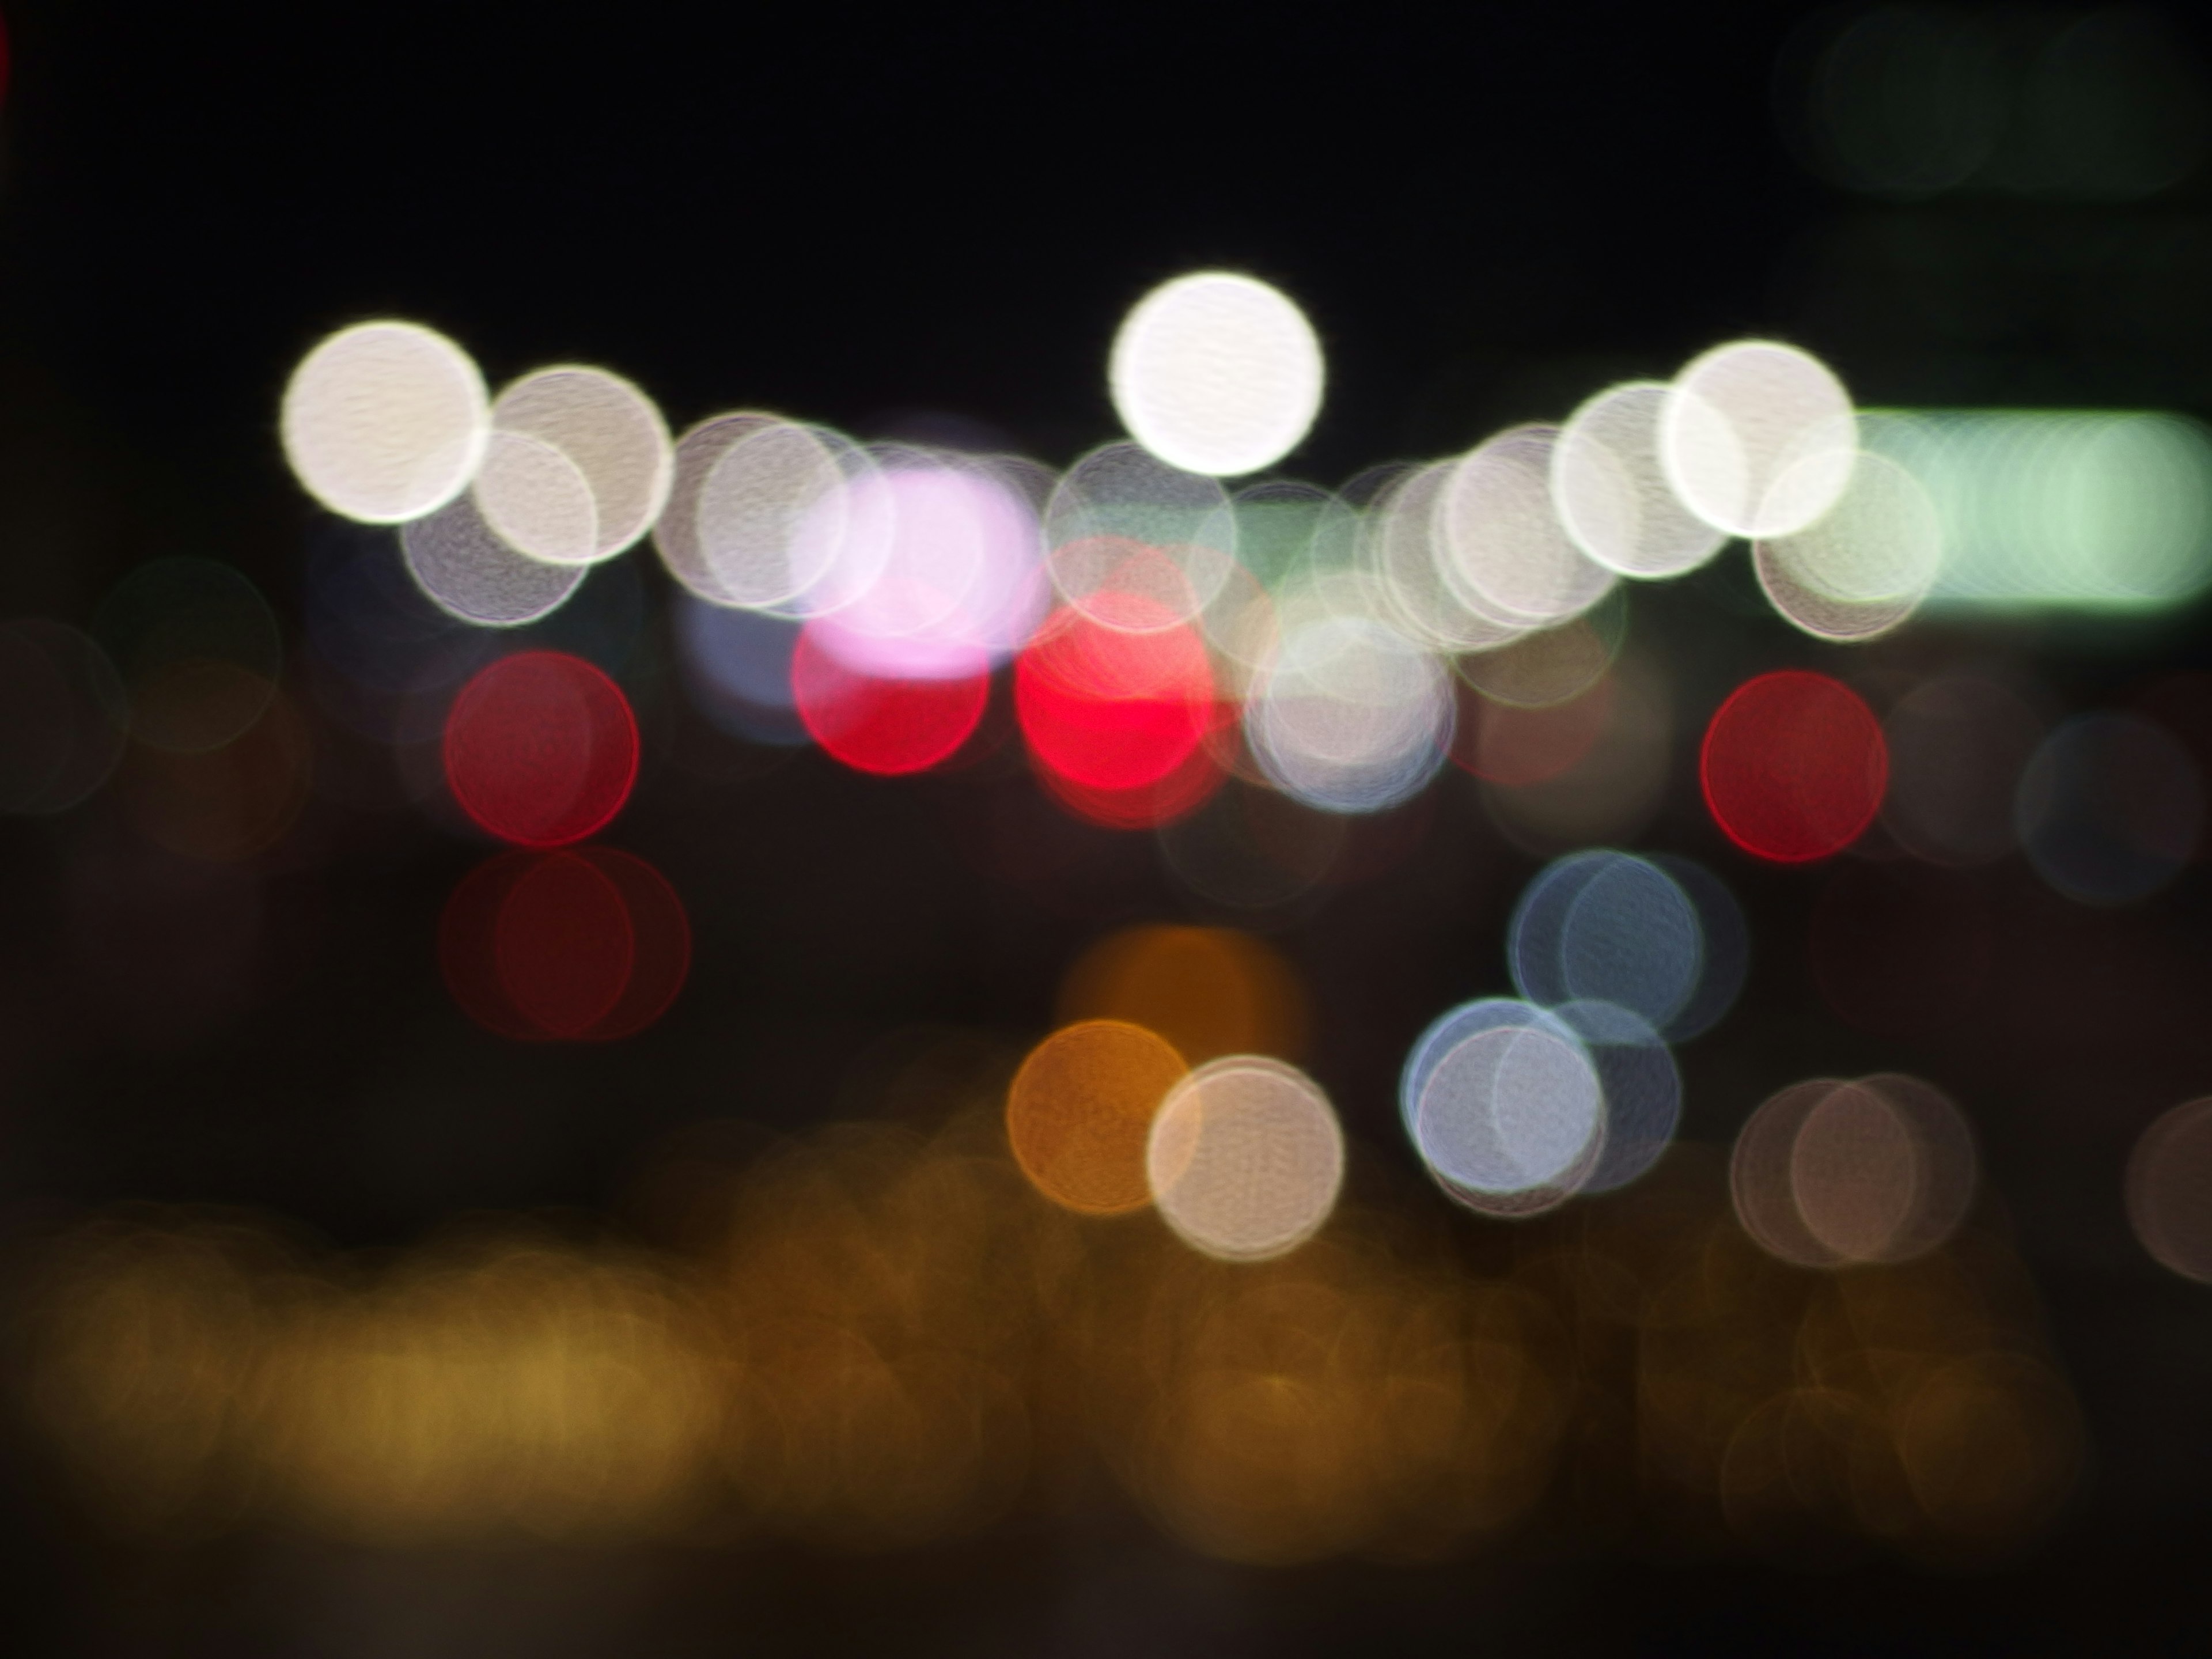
(1246, 1158)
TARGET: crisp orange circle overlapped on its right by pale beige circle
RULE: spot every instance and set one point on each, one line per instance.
(1081, 1112)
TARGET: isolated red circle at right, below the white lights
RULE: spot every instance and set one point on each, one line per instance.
(1795, 766)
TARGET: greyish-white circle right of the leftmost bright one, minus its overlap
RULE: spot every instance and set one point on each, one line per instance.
(612, 435)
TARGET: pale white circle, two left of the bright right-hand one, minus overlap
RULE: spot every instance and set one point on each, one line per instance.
(1501, 541)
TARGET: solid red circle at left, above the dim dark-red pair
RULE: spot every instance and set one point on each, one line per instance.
(541, 749)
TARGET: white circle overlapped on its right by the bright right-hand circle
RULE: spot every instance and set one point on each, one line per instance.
(1614, 494)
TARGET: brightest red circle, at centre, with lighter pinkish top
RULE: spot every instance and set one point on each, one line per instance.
(1116, 709)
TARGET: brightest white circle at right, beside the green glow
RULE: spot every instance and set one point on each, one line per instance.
(1757, 439)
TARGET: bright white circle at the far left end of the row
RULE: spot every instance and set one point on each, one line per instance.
(386, 421)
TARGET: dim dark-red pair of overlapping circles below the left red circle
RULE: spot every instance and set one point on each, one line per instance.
(570, 946)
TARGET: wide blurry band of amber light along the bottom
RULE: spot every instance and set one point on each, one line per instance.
(879, 1337)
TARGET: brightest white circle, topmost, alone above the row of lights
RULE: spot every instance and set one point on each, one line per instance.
(1218, 375)
